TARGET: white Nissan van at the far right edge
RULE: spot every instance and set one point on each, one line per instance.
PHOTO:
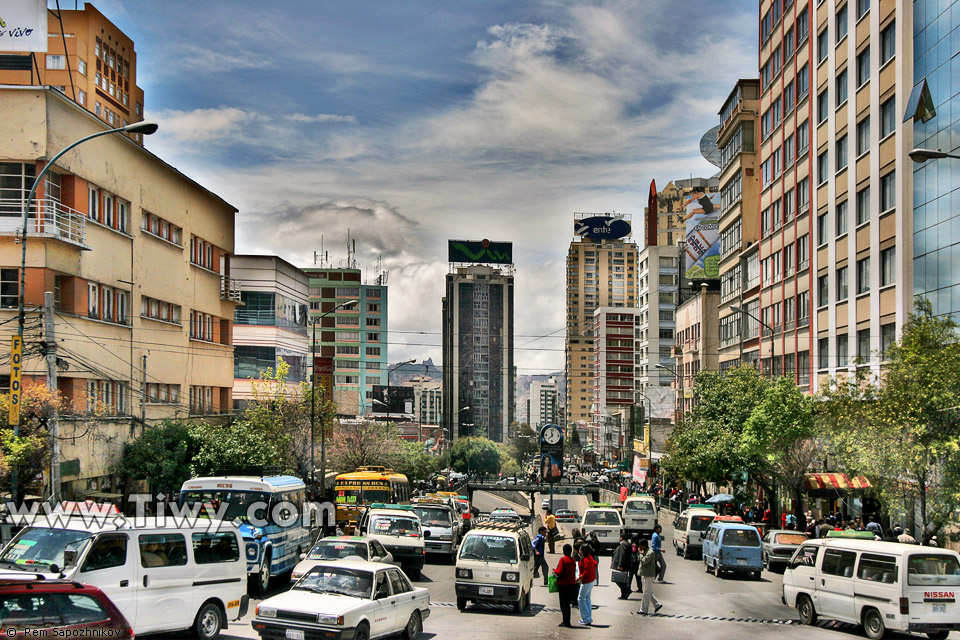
(880, 585)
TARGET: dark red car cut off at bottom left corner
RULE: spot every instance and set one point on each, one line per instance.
(63, 607)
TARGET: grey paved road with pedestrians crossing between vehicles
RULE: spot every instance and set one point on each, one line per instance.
(695, 604)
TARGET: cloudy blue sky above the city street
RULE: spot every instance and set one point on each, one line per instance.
(408, 123)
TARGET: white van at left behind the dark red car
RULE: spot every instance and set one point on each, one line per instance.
(163, 575)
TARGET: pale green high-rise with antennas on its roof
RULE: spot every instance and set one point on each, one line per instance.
(354, 336)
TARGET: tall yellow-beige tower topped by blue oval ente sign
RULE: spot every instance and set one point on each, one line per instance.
(601, 272)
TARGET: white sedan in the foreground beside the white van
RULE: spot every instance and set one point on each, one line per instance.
(360, 600)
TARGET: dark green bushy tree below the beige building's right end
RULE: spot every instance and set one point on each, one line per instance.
(162, 457)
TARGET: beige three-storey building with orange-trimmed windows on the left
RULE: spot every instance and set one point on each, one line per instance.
(138, 258)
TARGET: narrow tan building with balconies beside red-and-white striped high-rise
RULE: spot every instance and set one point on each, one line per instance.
(739, 140)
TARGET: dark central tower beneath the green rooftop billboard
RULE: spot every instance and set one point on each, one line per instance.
(478, 371)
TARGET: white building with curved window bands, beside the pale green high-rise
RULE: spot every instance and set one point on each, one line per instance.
(270, 326)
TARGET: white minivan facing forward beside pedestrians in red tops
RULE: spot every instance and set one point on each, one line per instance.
(495, 564)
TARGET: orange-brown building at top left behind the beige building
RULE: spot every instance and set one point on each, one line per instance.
(90, 61)
